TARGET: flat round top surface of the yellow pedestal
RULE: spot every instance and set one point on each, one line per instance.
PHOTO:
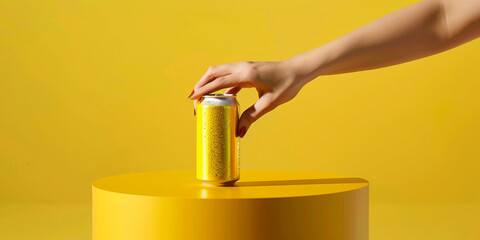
(253, 184)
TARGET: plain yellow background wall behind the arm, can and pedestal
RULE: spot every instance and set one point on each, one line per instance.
(94, 88)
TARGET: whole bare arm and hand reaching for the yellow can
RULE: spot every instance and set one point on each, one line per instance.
(413, 32)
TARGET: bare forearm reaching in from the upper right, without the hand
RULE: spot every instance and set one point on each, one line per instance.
(416, 31)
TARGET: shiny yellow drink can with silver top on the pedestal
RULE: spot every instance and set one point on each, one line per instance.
(217, 141)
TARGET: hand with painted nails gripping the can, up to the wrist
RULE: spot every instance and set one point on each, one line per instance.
(275, 82)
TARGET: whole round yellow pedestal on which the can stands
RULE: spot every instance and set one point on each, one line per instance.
(173, 205)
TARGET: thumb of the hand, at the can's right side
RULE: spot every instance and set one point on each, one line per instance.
(253, 113)
